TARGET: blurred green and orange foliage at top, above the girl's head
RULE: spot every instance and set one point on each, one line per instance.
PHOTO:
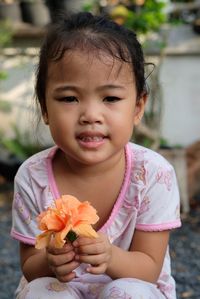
(141, 16)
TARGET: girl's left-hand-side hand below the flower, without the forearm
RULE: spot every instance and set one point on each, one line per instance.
(61, 262)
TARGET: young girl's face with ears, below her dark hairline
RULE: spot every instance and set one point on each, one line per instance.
(91, 106)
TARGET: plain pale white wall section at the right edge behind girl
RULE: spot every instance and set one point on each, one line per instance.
(180, 79)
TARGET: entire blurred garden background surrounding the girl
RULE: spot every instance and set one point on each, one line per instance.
(170, 35)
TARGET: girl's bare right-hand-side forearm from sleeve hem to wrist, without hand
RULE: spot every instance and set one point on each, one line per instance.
(144, 260)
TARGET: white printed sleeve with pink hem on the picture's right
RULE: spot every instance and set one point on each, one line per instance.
(160, 201)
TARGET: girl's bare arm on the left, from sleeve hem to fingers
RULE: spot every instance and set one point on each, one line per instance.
(48, 262)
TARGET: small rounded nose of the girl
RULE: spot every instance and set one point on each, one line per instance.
(91, 114)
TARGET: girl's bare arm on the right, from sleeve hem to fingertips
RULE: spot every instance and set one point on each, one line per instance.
(143, 261)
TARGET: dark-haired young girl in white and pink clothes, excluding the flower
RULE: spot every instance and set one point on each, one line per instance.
(91, 89)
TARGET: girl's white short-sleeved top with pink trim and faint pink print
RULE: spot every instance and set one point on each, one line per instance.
(148, 201)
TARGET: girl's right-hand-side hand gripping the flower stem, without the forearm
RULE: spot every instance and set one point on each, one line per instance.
(96, 252)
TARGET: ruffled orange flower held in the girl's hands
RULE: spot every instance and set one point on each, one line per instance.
(68, 215)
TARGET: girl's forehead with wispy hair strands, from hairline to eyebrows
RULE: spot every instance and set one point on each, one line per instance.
(82, 61)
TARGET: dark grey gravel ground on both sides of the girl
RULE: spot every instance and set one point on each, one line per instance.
(185, 252)
